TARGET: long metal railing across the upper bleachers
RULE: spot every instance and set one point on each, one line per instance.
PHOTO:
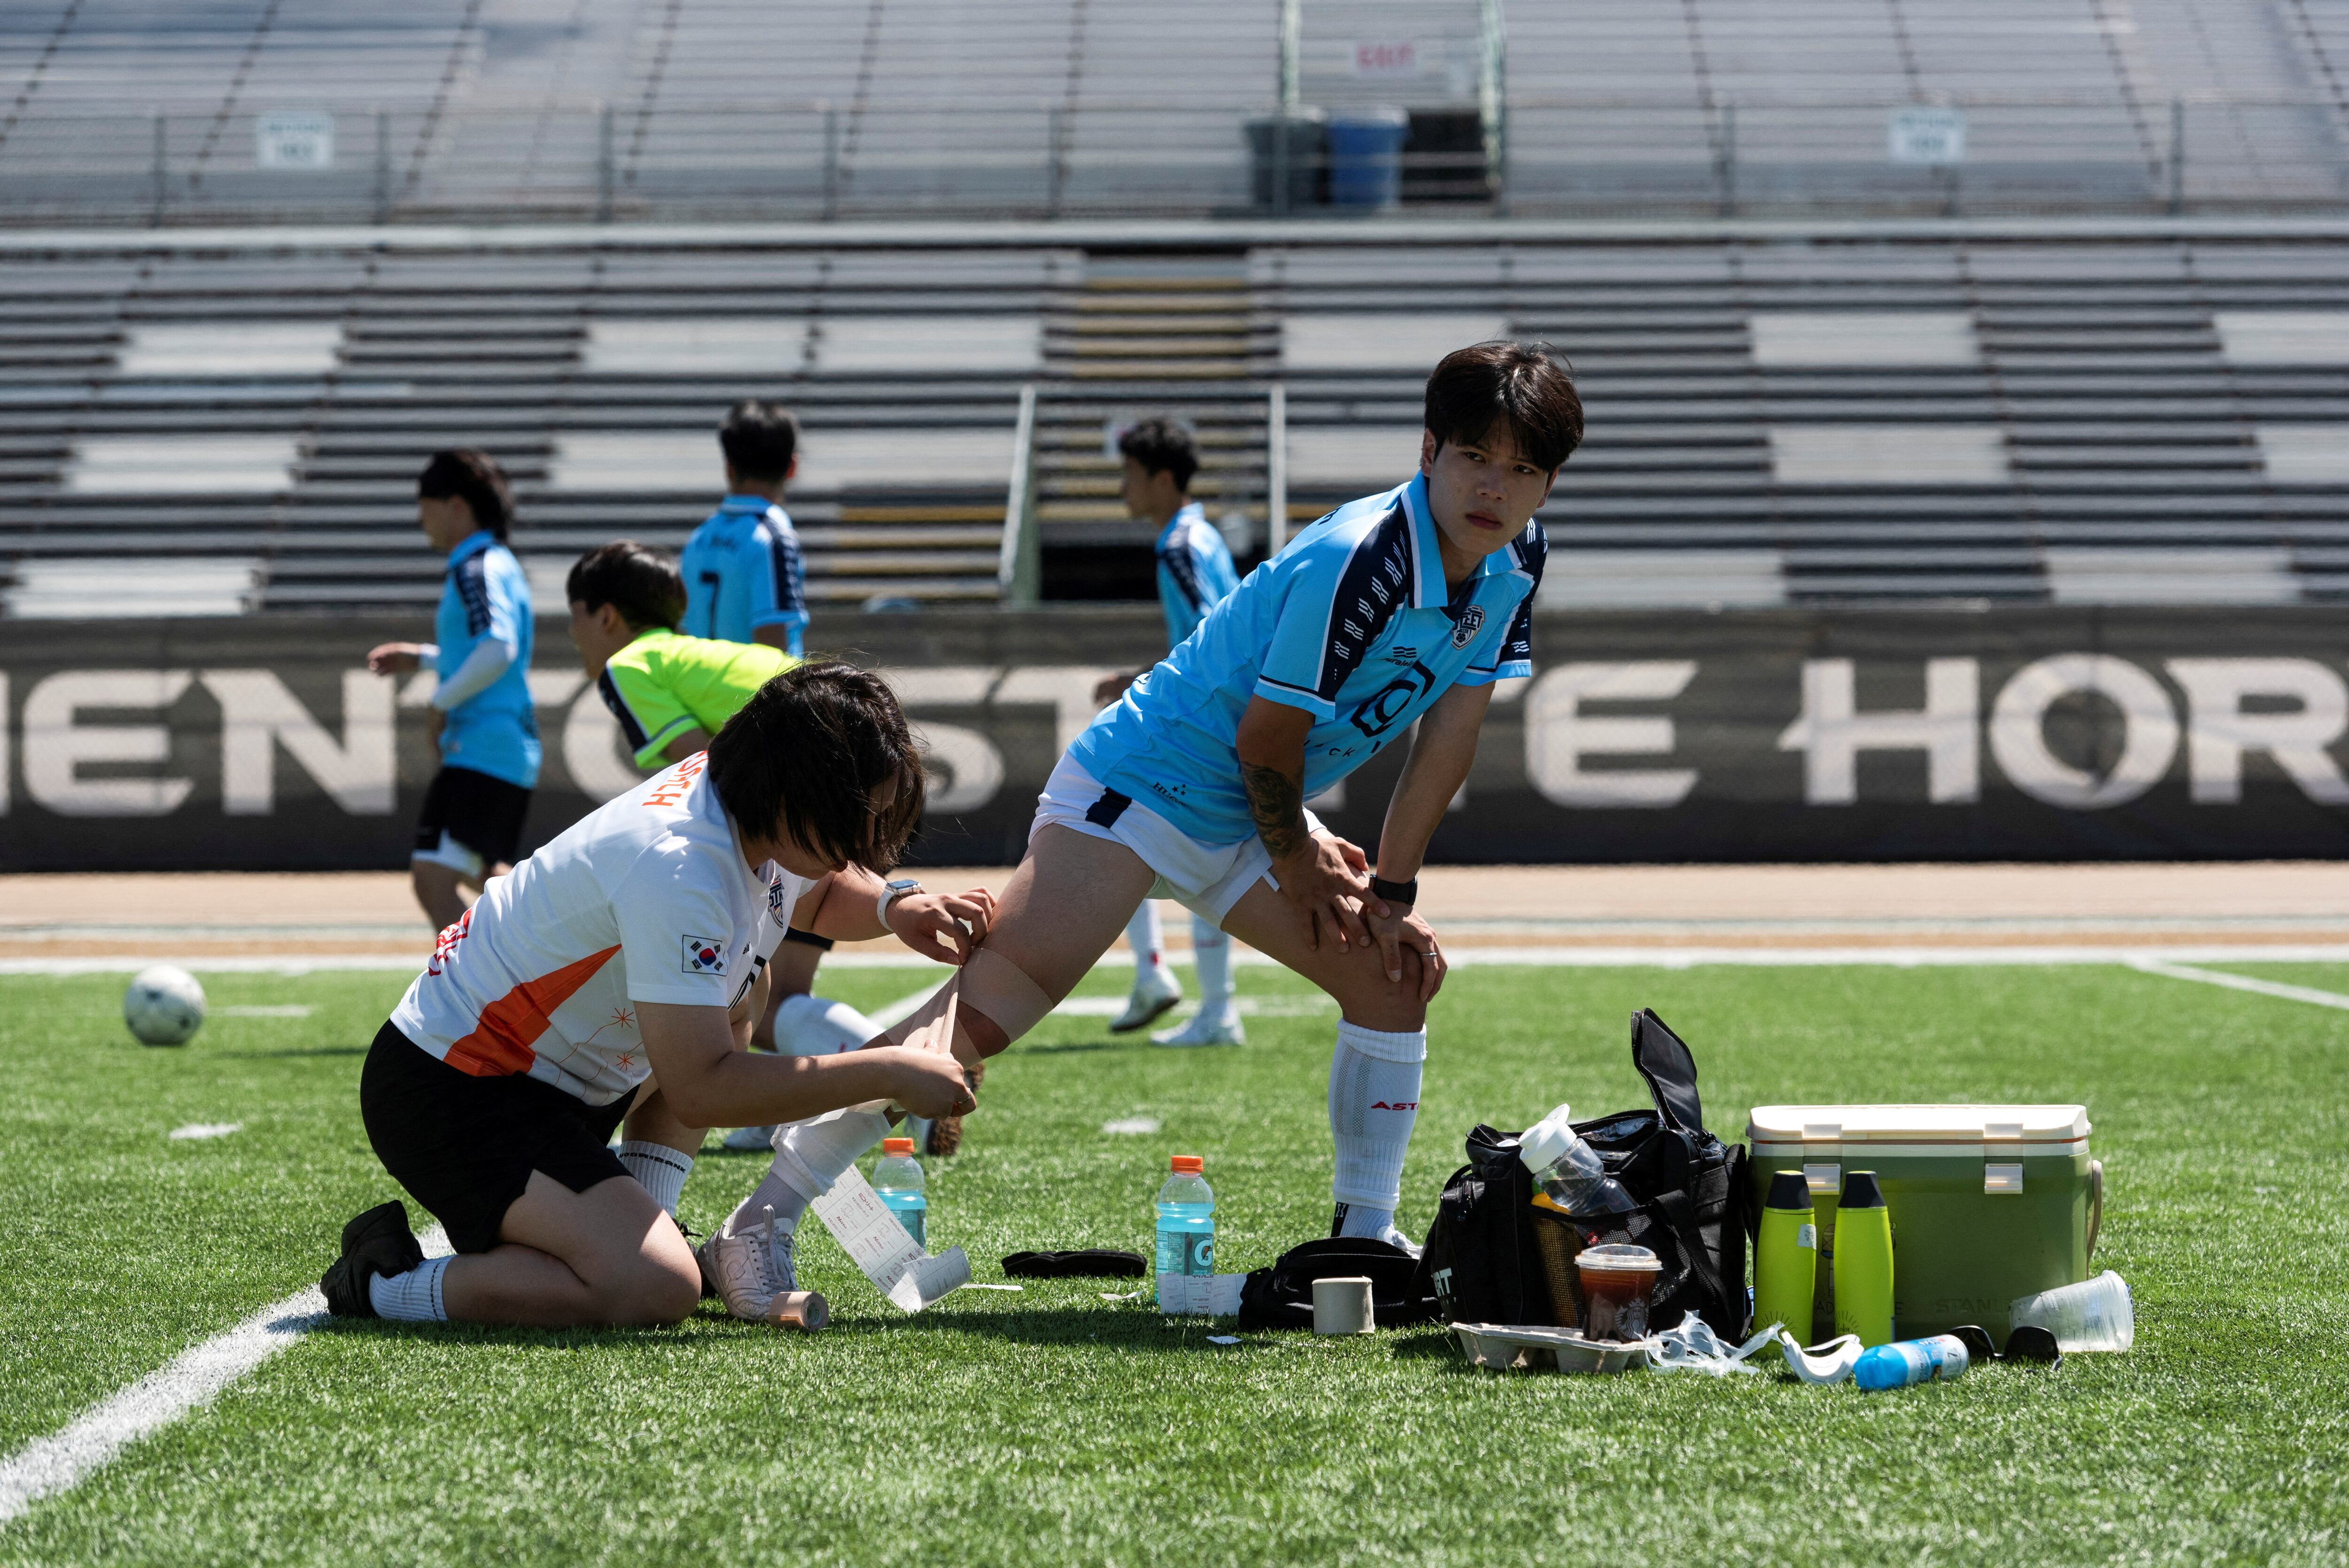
(1537, 156)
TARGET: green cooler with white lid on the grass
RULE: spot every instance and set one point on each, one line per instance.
(1988, 1203)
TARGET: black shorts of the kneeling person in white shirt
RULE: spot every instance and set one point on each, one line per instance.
(466, 1147)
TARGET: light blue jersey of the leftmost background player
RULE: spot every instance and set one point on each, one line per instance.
(490, 597)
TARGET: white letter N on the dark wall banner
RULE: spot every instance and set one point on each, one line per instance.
(260, 715)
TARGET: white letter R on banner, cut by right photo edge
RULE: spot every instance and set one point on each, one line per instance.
(2219, 729)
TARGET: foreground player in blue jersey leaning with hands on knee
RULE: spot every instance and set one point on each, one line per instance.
(1392, 611)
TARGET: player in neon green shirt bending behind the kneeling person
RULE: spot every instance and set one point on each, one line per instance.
(671, 696)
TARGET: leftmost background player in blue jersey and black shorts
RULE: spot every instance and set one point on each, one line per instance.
(471, 825)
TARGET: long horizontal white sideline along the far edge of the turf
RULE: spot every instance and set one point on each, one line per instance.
(1916, 957)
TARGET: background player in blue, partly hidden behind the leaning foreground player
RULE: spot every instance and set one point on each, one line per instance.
(1194, 576)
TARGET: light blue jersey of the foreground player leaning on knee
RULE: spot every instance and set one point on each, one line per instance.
(1354, 626)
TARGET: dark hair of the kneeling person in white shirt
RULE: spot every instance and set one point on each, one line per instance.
(805, 757)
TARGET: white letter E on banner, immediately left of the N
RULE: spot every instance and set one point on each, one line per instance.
(55, 745)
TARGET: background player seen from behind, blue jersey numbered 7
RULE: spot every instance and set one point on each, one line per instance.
(746, 581)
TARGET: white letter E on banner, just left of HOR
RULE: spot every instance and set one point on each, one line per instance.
(1559, 736)
